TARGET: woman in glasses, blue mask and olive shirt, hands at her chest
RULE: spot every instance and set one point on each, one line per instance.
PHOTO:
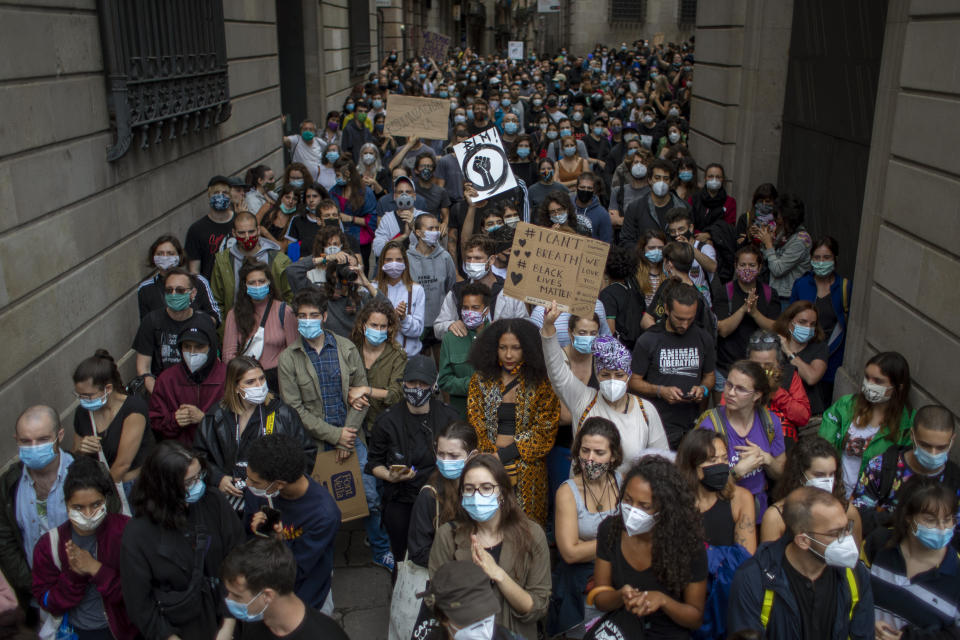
(490, 529)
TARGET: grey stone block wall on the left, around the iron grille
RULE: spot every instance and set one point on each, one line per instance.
(75, 228)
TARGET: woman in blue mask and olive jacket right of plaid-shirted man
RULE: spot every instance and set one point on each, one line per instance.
(375, 335)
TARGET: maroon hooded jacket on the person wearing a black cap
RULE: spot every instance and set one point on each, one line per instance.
(174, 388)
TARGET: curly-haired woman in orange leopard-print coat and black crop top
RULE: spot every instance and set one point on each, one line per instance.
(513, 408)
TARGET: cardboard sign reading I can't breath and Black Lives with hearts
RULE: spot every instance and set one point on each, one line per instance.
(547, 265)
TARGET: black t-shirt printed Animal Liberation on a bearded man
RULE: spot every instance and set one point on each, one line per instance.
(674, 360)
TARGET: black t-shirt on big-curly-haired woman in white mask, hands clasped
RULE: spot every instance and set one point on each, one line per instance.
(609, 548)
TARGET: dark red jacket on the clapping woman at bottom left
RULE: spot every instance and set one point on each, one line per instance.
(60, 590)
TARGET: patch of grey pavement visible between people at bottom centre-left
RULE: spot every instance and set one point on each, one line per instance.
(361, 589)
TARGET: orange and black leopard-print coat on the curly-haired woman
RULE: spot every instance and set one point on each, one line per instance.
(537, 411)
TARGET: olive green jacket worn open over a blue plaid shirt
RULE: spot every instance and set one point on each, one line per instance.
(300, 388)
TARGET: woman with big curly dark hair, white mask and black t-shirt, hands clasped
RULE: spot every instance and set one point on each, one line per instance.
(659, 530)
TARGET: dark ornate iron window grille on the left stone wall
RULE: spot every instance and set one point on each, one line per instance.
(166, 66)
